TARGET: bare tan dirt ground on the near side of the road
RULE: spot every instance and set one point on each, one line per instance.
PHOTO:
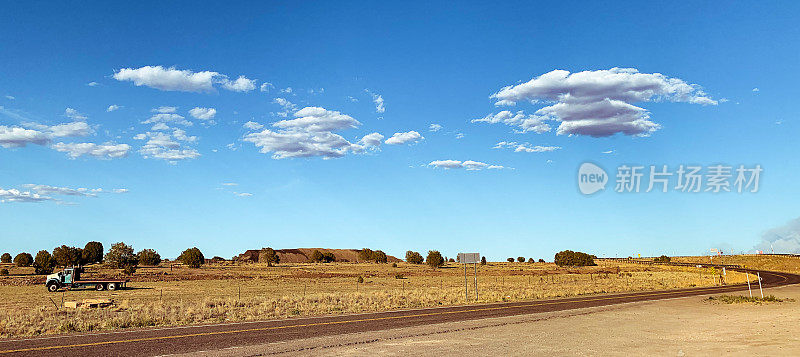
(677, 327)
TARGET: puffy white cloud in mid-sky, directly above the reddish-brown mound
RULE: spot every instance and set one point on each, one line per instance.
(309, 134)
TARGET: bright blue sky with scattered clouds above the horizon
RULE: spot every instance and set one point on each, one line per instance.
(435, 63)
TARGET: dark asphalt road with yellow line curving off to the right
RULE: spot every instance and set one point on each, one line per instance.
(160, 341)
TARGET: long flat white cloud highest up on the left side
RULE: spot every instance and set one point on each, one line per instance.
(172, 79)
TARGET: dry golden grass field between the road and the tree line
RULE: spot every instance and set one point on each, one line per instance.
(163, 296)
